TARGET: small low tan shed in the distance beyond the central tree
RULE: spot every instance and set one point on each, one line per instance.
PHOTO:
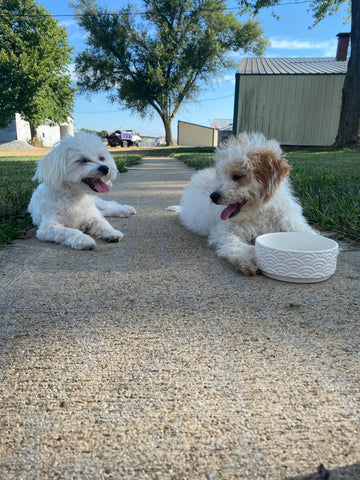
(192, 135)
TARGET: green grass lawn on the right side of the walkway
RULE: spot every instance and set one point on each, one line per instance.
(326, 183)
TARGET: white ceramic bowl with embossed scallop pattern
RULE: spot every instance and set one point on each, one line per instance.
(296, 257)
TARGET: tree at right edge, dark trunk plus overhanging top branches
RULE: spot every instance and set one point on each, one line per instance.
(349, 124)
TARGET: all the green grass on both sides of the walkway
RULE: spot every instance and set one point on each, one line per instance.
(326, 183)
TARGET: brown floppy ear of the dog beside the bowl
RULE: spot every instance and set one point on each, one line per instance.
(269, 168)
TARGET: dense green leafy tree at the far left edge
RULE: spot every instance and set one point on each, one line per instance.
(34, 60)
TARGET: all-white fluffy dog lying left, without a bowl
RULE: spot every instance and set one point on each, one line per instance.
(63, 206)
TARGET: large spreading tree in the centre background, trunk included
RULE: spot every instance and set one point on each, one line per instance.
(152, 59)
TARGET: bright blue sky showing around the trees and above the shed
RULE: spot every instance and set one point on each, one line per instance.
(290, 37)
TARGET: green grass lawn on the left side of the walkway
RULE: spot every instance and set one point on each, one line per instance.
(16, 187)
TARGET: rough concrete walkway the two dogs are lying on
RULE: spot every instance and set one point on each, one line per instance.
(155, 359)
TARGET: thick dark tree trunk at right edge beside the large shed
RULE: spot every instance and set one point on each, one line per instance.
(349, 124)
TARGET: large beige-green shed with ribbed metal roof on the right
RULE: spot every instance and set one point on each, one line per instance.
(295, 100)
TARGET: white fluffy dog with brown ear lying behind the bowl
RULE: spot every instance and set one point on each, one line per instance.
(246, 195)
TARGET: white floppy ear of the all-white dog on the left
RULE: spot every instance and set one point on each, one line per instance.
(51, 169)
